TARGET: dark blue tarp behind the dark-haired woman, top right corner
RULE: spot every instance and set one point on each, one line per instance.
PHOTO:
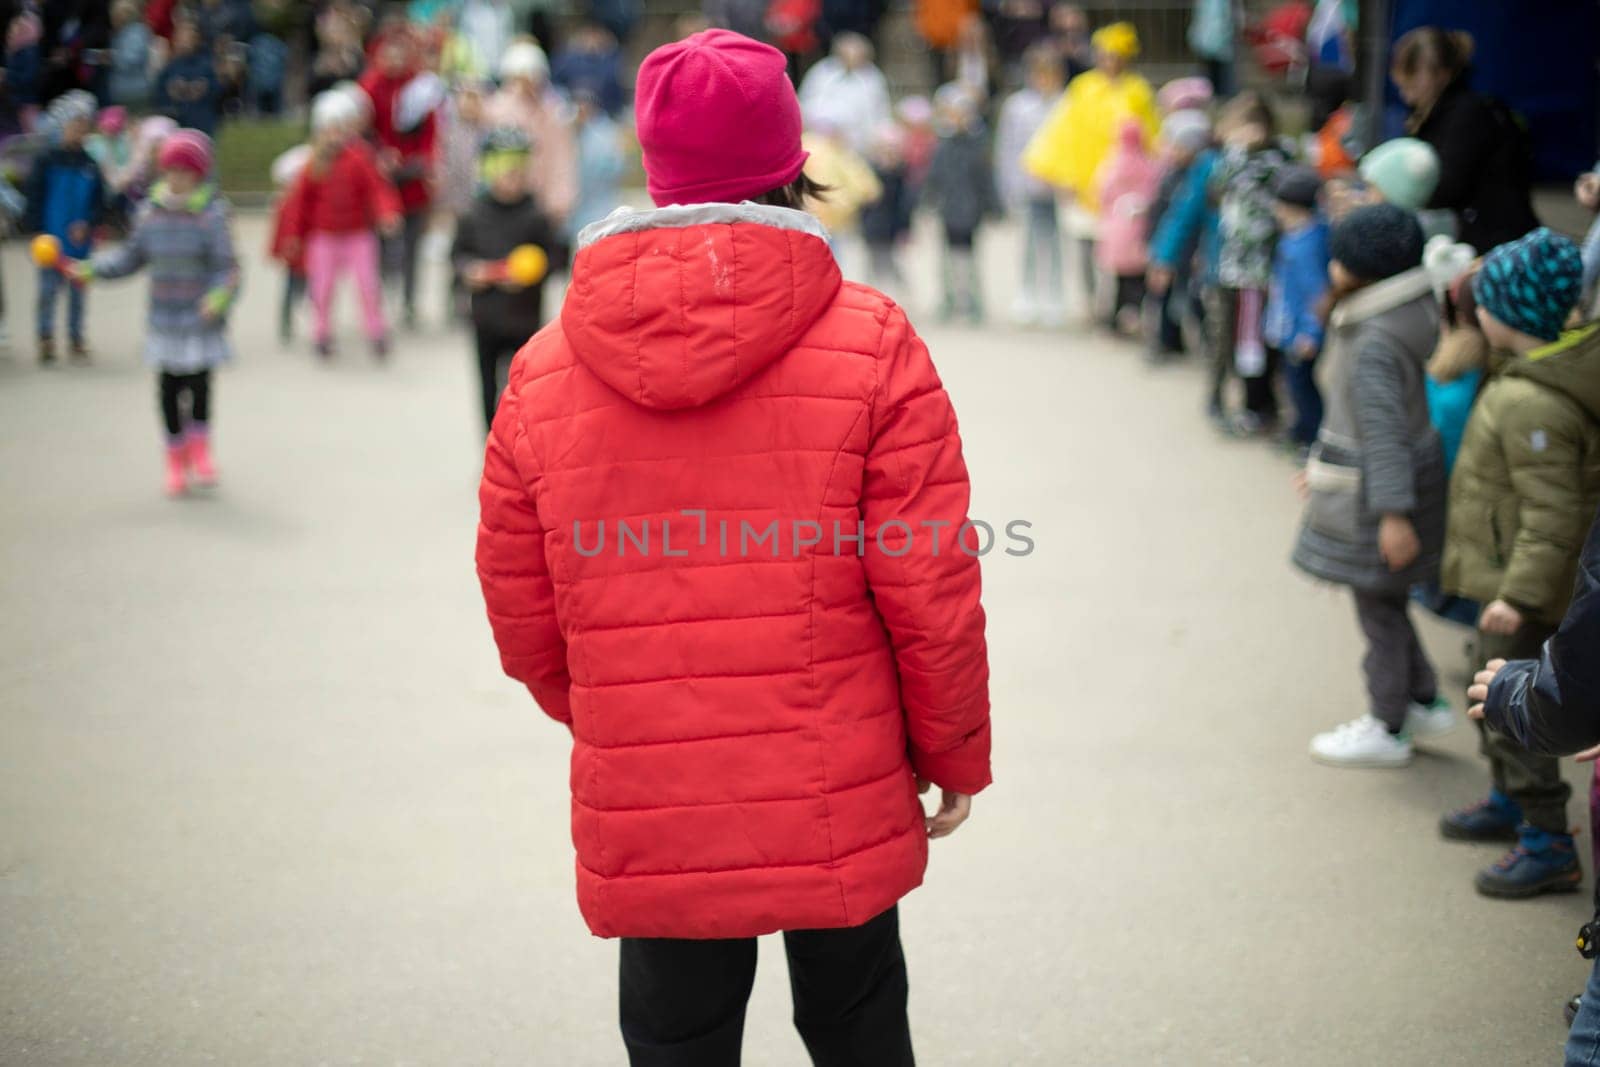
(1538, 57)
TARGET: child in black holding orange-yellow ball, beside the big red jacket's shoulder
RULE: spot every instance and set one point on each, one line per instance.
(506, 217)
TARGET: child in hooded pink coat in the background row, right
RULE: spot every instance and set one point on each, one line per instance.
(1127, 185)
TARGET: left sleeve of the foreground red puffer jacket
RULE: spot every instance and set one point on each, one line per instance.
(513, 570)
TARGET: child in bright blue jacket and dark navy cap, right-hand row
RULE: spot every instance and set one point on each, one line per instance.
(1300, 281)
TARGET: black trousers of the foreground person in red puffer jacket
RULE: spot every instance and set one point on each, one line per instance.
(684, 1001)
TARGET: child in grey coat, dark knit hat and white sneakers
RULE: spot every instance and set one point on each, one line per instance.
(1375, 518)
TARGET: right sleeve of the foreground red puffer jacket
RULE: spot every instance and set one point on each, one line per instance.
(927, 589)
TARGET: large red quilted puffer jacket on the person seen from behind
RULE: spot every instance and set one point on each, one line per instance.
(750, 716)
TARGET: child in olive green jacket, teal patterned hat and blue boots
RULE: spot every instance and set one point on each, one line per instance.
(1522, 492)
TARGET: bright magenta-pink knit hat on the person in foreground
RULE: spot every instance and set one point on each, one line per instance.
(718, 121)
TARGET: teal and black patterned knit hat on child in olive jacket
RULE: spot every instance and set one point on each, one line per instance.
(1532, 284)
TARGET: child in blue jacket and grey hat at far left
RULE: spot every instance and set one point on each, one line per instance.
(66, 199)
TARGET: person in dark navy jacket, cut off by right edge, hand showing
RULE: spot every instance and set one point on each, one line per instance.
(1553, 706)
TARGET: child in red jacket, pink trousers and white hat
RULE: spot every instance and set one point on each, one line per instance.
(332, 218)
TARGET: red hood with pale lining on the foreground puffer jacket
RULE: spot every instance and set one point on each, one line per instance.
(678, 306)
